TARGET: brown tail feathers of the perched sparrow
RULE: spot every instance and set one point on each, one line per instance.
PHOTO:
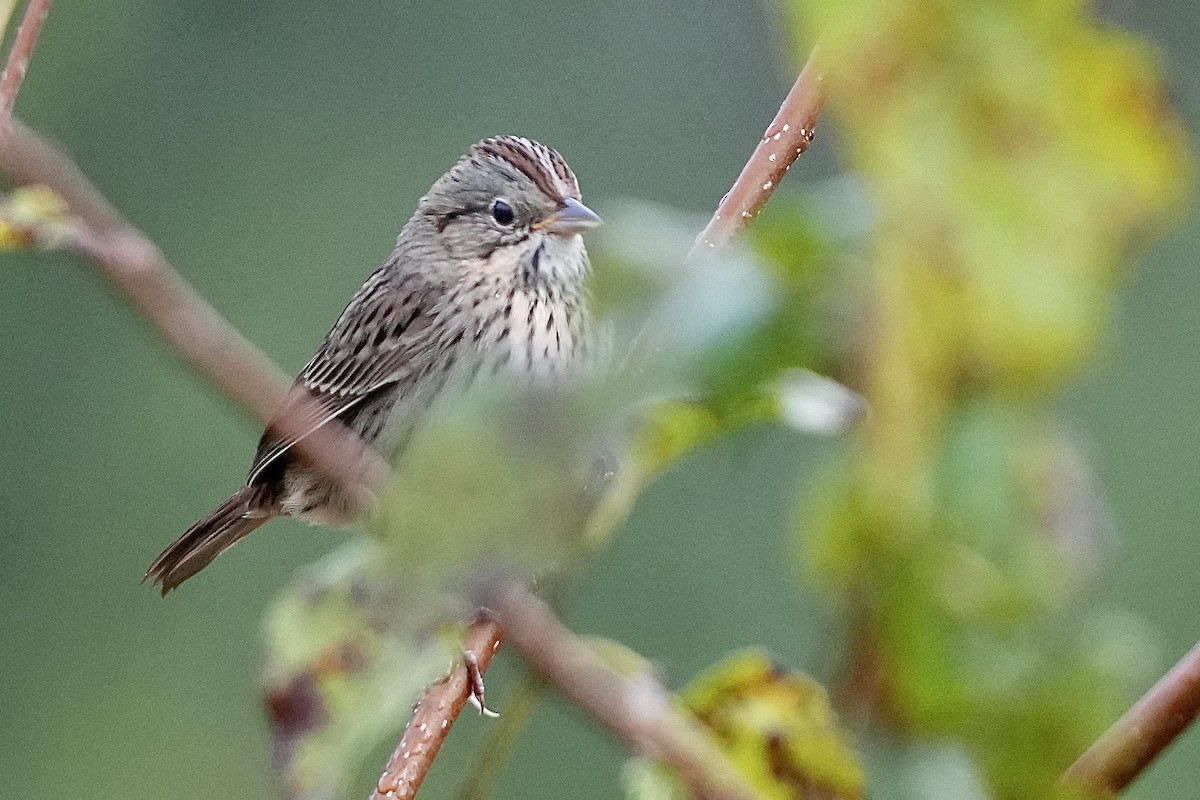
(207, 539)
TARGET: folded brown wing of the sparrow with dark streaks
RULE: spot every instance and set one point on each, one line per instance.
(373, 346)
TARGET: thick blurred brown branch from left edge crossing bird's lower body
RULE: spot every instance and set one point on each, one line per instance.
(189, 324)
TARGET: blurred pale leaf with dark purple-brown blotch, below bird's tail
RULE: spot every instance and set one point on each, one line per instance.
(340, 676)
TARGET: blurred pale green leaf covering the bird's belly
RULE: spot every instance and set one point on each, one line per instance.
(503, 480)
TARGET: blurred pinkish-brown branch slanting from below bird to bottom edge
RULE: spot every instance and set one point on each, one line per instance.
(638, 709)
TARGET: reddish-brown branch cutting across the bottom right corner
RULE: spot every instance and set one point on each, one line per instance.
(1138, 738)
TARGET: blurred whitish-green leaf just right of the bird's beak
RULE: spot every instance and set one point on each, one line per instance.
(718, 330)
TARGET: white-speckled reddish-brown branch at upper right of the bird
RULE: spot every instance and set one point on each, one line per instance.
(787, 140)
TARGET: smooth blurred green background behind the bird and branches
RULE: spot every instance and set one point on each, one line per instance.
(273, 151)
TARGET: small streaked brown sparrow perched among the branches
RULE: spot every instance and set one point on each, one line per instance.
(488, 276)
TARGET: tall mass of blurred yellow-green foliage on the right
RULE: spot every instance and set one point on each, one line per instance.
(1016, 154)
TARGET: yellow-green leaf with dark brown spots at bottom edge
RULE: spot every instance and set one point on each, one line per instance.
(777, 729)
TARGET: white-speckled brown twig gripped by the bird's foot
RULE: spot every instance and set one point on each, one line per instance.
(431, 721)
